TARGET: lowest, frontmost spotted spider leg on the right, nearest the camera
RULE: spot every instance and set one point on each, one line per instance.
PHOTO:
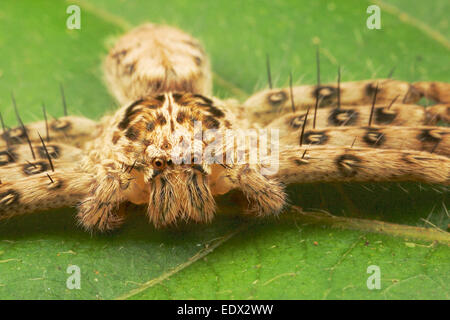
(346, 164)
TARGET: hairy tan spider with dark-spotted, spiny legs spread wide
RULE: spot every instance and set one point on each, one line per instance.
(356, 131)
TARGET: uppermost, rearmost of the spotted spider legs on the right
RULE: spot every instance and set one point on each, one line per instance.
(263, 106)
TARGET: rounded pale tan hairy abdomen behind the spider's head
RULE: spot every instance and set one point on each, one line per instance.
(155, 59)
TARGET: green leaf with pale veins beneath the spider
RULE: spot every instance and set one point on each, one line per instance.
(307, 254)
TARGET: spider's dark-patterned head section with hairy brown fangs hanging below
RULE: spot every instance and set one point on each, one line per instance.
(161, 141)
